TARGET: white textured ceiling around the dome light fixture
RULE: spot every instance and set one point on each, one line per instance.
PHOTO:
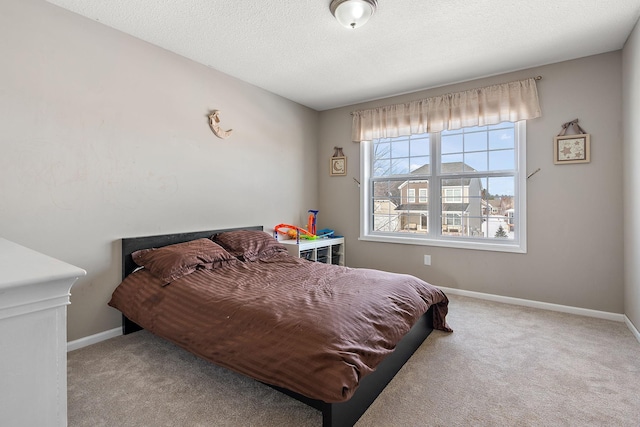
(295, 48)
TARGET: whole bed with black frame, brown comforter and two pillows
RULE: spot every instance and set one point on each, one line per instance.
(255, 309)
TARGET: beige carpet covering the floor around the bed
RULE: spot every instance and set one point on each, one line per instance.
(503, 366)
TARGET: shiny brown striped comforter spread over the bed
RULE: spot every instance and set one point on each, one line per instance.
(313, 328)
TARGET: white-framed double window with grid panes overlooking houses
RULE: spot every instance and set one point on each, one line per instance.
(470, 186)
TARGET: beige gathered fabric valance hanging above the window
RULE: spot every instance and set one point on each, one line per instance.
(475, 107)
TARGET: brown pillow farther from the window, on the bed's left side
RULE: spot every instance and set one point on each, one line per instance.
(174, 261)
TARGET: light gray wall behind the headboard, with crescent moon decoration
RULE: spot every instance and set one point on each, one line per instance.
(104, 136)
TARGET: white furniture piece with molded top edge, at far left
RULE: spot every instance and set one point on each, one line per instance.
(34, 293)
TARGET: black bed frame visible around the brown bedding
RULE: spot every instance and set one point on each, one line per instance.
(342, 414)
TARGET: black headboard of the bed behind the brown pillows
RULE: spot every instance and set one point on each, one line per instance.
(132, 244)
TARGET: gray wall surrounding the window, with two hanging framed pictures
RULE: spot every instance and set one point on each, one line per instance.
(575, 230)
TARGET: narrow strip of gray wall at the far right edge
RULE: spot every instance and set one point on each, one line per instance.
(631, 117)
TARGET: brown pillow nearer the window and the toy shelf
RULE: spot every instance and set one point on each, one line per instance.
(250, 245)
